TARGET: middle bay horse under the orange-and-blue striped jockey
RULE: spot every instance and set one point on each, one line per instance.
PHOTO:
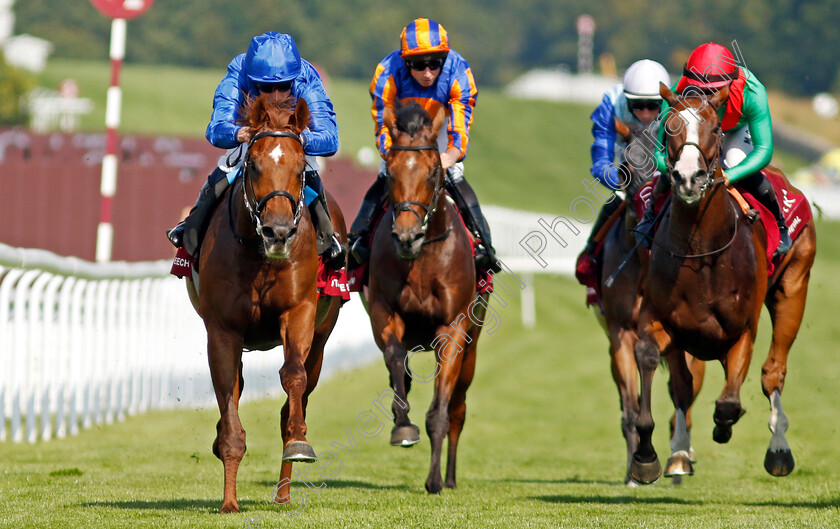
(422, 287)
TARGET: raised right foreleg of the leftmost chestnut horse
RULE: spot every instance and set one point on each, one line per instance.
(296, 329)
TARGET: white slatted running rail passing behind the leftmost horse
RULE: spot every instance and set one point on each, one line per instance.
(86, 343)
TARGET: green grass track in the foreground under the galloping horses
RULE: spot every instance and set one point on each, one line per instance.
(541, 447)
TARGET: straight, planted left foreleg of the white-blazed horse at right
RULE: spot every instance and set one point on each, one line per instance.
(645, 468)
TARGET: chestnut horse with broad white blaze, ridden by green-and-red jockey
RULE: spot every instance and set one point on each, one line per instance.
(705, 286)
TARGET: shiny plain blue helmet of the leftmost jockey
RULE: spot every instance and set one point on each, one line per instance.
(272, 58)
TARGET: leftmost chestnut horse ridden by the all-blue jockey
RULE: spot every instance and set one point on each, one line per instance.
(258, 268)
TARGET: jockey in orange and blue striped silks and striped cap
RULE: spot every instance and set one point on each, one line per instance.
(427, 71)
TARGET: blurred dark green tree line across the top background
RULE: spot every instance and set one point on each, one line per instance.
(790, 44)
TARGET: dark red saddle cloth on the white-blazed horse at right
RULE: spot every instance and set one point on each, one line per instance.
(795, 207)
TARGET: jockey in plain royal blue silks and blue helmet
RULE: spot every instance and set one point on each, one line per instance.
(271, 63)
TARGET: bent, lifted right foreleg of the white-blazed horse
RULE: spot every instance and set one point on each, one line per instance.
(728, 407)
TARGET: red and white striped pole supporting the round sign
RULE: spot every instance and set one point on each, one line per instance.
(108, 186)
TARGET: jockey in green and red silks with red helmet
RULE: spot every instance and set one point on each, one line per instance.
(747, 145)
